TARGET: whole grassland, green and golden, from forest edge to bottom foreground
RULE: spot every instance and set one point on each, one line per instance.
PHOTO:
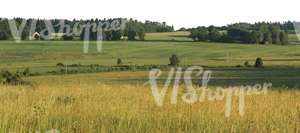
(119, 101)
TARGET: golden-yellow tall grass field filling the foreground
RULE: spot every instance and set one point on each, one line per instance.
(82, 104)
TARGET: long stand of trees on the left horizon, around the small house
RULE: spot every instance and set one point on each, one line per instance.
(133, 29)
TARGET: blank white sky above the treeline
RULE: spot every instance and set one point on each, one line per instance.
(183, 13)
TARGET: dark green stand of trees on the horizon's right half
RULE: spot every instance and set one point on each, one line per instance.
(258, 33)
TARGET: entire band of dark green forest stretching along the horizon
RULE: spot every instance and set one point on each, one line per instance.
(258, 33)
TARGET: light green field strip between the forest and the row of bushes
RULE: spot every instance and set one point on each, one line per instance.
(47, 54)
